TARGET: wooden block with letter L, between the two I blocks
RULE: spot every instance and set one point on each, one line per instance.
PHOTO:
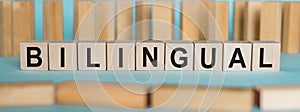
(91, 55)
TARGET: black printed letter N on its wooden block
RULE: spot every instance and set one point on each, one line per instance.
(152, 60)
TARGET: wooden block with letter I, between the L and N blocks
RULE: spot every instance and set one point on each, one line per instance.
(121, 55)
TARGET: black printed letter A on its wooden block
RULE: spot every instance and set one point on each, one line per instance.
(239, 53)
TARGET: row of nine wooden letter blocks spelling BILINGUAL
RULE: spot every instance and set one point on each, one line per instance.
(150, 55)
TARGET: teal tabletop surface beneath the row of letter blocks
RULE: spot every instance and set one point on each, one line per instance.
(10, 72)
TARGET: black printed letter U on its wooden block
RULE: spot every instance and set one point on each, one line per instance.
(213, 58)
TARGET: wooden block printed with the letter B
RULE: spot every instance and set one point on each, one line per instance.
(34, 55)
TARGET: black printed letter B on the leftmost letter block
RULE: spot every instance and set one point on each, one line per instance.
(37, 56)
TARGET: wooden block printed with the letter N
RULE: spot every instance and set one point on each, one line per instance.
(150, 55)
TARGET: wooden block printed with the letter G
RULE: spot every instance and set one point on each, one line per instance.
(179, 55)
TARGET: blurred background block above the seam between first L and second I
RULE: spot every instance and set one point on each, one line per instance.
(105, 22)
